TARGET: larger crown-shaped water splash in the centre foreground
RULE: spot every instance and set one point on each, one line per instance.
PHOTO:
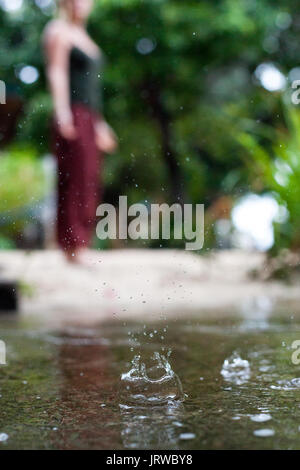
(153, 385)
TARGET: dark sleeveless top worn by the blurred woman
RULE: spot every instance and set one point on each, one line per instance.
(85, 79)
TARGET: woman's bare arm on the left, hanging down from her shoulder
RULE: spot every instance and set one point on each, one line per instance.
(57, 49)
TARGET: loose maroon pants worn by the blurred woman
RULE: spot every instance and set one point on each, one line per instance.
(78, 181)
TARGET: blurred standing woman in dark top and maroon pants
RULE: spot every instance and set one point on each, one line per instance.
(80, 133)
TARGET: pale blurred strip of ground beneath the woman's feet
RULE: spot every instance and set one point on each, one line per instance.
(141, 283)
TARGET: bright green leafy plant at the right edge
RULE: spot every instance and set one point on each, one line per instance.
(276, 166)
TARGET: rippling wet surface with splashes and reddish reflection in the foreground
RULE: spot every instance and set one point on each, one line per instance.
(227, 383)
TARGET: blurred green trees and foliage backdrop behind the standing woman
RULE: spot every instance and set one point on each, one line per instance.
(199, 93)
